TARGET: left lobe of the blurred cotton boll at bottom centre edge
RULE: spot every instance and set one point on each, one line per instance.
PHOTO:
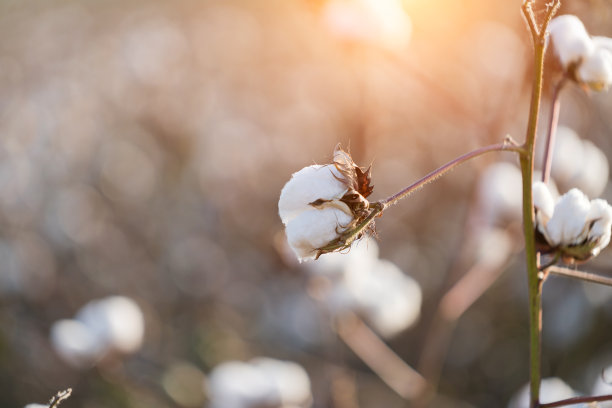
(240, 385)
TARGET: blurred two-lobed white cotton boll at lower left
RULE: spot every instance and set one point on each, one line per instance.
(113, 324)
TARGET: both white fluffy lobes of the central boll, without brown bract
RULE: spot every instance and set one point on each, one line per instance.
(309, 227)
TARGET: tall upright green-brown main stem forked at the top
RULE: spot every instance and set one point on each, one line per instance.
(538, 35)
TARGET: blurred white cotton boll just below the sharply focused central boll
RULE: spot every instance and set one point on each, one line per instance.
(390, 300)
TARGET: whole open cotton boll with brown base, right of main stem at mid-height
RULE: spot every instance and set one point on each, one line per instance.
(574, 227)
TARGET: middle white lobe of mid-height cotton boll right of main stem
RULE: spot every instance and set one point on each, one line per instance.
(568, 221)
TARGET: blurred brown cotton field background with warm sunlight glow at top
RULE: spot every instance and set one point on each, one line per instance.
(143, 149)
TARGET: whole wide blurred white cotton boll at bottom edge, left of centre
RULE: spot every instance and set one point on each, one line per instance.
(263, 382)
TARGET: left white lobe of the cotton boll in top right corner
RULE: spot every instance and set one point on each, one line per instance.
(571, 41)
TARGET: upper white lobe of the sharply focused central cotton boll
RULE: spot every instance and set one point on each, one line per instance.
(306, 186)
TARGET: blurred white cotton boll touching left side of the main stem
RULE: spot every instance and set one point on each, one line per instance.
(499, 193)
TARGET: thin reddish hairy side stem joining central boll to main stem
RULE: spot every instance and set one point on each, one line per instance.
(508, 145)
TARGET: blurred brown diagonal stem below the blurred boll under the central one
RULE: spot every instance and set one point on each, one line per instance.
(398, 375)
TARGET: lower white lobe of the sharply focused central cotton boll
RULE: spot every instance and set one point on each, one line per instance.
(315, 228)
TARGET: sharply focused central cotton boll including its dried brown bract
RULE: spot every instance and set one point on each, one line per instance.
(321, 202)
